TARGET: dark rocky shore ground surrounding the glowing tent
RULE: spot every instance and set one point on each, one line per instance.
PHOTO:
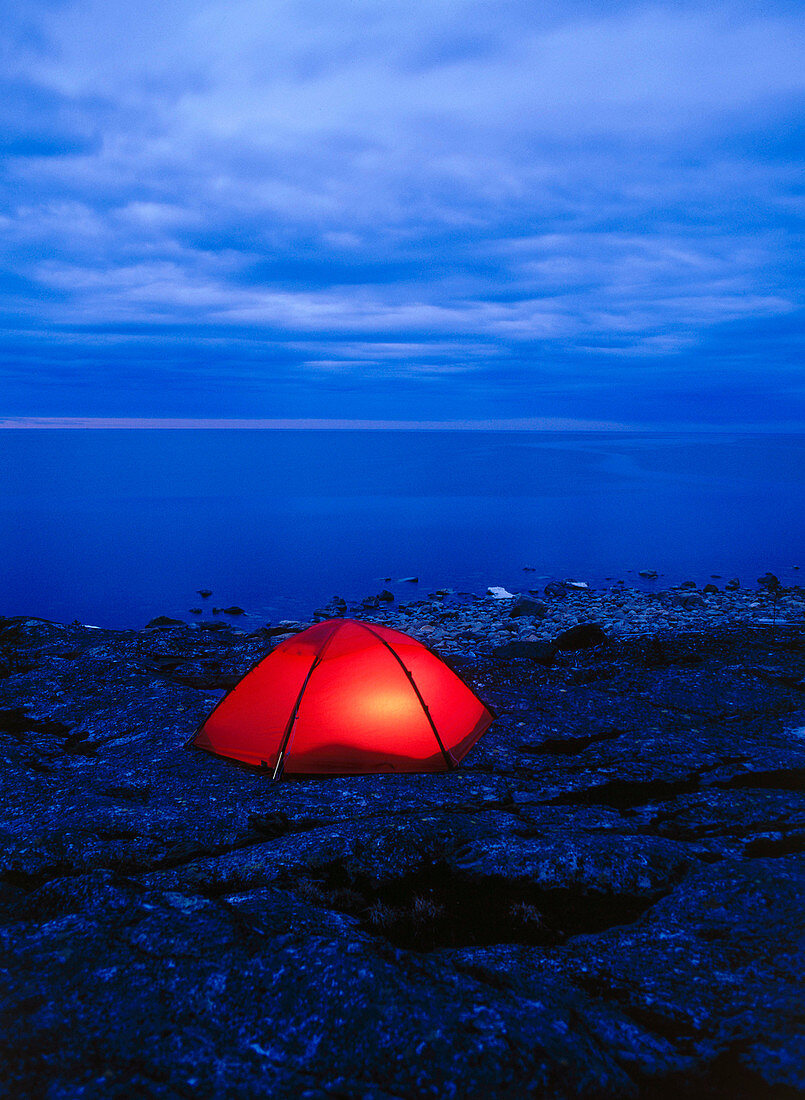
(606, 900)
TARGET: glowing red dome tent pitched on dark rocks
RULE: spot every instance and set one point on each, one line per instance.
(348, 698)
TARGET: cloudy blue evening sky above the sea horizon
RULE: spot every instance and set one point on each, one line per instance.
(403, 210)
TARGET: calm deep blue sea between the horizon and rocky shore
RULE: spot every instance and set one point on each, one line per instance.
(115, 527)
